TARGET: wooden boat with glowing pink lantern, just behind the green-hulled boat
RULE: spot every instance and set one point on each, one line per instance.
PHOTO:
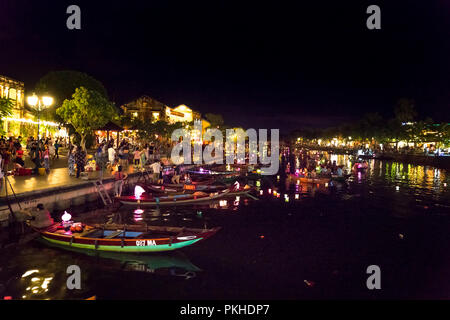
(171, 199)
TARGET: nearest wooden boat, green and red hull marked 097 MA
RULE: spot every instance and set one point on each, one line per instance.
(126, 238)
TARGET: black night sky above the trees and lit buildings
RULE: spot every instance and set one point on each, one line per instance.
(262, 64)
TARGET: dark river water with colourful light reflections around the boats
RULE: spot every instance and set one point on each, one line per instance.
(396, 216)
